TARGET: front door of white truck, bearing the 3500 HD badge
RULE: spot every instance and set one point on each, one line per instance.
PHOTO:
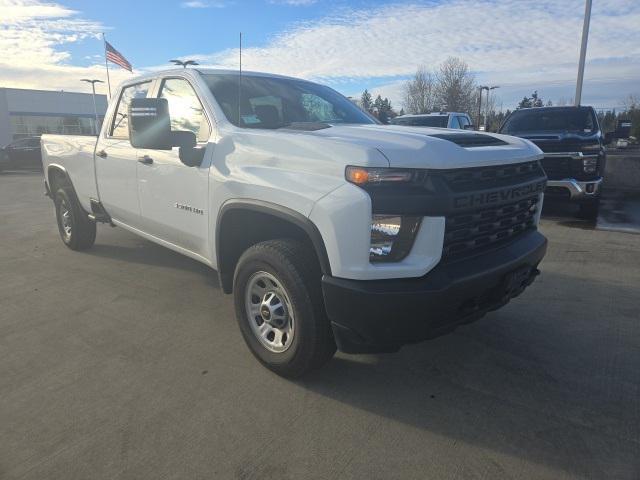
(173, 196)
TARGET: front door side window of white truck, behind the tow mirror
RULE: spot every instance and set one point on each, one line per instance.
(185, 108)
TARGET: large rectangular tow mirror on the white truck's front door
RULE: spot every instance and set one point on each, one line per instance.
(149, 123)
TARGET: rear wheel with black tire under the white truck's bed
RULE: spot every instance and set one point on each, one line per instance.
(77, 231)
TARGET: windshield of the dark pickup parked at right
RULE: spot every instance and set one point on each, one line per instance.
(576, 120)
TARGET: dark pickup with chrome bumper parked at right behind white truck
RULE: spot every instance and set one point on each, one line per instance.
(574, 151)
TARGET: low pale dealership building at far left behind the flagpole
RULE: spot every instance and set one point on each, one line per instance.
(28, 113)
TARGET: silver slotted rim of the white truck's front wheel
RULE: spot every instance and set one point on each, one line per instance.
(269, 312)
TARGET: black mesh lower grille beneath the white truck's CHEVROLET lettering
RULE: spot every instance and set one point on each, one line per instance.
(472, 232)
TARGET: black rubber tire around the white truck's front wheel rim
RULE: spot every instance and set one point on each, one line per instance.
(295, 267)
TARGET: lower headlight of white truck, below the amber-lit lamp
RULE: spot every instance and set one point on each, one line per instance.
(392, 237)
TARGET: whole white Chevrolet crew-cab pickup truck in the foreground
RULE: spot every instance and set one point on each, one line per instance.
(330, 229)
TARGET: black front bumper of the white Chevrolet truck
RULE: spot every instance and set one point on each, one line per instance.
(382, 315)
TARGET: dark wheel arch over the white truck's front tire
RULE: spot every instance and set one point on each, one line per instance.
(242, 223)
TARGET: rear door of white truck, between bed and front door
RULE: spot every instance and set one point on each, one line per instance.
(116, 161)
